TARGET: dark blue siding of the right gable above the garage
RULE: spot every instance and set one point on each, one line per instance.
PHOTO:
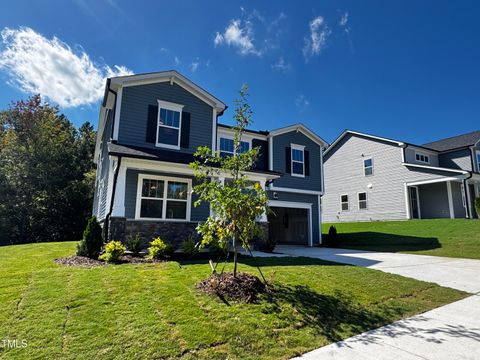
(311, 182)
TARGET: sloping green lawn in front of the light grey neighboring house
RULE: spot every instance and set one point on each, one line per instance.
(439, 237)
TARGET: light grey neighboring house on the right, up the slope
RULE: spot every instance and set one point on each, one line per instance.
(373, 178)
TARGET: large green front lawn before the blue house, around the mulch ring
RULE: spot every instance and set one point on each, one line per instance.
(154, 310)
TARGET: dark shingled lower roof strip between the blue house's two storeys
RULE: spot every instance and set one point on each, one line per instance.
(162, 155)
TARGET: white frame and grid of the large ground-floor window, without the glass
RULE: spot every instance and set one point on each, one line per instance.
(166, 180)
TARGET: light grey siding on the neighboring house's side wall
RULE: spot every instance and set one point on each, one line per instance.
(344, 174)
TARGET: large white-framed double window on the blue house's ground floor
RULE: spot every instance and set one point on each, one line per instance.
(163, 198)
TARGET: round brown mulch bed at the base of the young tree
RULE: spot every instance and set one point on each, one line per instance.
(243, 288)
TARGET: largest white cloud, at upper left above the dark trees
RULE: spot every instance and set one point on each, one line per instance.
(51, 68)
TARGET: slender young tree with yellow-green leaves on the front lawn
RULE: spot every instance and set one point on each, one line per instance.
(236, 202)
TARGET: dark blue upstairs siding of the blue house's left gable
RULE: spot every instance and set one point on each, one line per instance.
(134, 114)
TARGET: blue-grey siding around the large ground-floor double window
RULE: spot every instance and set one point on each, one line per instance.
(199, 213)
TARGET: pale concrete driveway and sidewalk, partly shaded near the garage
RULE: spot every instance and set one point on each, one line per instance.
(450, 332)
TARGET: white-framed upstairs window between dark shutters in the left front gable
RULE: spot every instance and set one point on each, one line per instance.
(169, 125)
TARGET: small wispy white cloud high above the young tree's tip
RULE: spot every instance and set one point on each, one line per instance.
(238, 36)
